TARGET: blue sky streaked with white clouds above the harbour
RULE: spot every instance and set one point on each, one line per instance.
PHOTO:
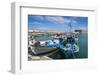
(57, 23)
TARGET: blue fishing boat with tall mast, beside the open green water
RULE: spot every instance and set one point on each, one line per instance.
(70, 45)
